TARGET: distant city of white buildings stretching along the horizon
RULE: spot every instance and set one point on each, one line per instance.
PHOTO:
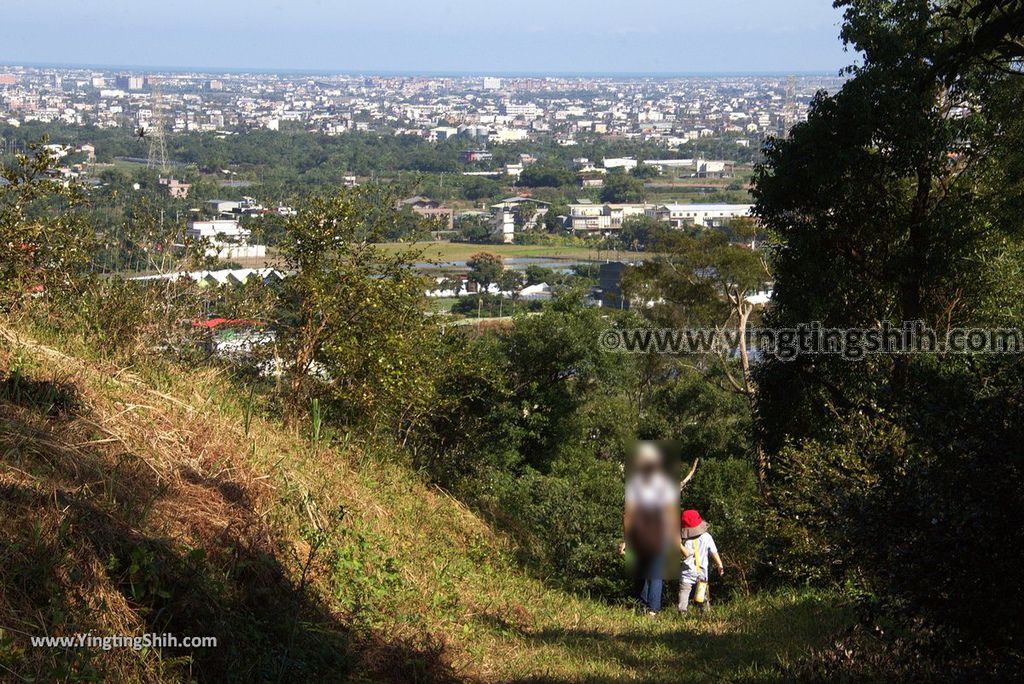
(672, 112)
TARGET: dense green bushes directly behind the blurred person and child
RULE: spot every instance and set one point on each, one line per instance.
(533, 425)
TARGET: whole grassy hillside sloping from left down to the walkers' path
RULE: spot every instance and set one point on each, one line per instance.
(150, 500)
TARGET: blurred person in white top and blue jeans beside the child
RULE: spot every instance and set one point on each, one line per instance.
(650, 524)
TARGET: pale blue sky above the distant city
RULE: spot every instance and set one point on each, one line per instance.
(453, 36)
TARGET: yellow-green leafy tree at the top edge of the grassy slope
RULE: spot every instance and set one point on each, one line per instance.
(351, 321)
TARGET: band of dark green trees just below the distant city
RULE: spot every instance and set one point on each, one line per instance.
(293, 160)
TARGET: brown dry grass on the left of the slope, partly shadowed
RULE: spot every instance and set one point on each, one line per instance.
(133, 511)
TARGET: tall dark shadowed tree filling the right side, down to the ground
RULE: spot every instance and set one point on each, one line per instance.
(898, 202)
